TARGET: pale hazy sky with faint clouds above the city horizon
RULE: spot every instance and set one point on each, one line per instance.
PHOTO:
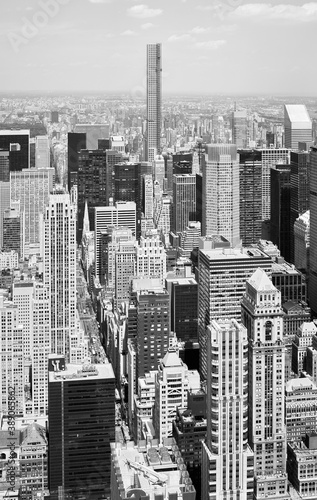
(208, 46)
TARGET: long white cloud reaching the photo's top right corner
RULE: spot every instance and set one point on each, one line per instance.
(263, 11)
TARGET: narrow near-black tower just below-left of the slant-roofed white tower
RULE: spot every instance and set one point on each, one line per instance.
(281, 209)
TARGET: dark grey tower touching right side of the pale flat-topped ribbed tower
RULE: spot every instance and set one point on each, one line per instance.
(250, 196)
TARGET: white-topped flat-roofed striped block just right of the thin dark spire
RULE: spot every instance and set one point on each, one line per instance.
(118, 215)
